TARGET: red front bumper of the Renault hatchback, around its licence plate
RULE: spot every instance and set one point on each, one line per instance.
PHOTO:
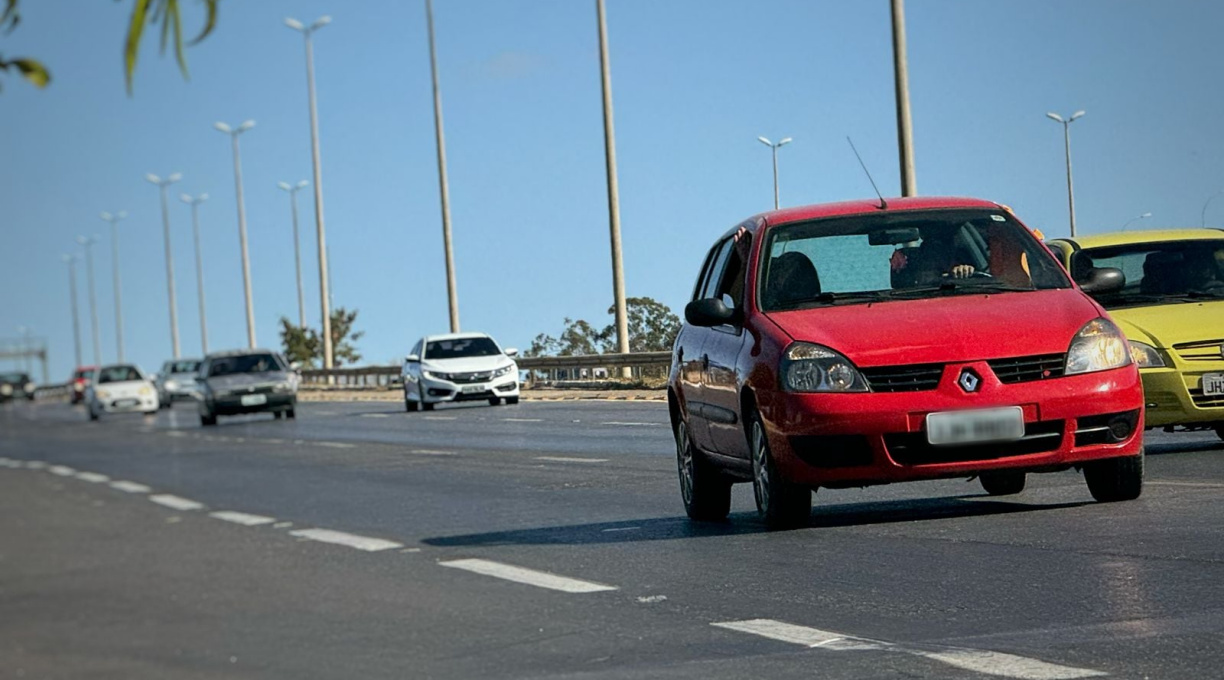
(873, 438)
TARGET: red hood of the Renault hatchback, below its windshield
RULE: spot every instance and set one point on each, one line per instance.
(946, 330)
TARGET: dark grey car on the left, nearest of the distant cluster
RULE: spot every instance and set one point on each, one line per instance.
(247, 382)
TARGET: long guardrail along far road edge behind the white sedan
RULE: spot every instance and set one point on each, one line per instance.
(539, 370)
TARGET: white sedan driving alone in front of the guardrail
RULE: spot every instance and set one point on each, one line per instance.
(460, 368)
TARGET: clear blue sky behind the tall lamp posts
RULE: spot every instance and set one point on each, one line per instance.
(695, 84)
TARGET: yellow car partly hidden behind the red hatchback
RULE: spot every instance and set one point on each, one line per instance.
(1172, 310)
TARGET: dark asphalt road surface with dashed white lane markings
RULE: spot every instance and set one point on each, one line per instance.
(548, 540)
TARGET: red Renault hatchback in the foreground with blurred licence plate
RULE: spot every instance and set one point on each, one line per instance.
(868, 343)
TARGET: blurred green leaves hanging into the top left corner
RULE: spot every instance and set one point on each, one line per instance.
(145, 13)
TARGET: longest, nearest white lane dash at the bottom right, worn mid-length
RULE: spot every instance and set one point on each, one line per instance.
(980, 661)
